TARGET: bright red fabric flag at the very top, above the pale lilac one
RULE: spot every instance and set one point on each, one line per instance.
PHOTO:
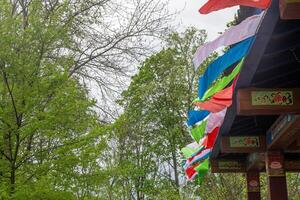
(214, 5)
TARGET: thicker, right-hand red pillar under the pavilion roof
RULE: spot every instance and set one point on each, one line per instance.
(276, 176)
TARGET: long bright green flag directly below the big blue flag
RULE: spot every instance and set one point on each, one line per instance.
(223, 82)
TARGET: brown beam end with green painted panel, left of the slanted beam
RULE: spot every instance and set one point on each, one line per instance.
(243, 144)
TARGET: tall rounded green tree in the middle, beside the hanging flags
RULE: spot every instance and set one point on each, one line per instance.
(151, 130)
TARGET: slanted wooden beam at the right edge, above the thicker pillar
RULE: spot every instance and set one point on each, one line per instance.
(283, 132)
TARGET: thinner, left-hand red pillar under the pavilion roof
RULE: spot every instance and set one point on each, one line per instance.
(253, 185)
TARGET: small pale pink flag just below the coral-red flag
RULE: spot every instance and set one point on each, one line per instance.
(215, 120)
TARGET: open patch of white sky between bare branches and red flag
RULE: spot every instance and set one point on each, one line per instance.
(214, 22)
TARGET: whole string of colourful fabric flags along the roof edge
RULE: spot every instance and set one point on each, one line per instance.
(214, 92)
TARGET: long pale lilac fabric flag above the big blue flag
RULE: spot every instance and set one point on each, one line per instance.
(235, 34)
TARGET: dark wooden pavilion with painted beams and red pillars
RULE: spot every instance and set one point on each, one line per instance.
(261, 130)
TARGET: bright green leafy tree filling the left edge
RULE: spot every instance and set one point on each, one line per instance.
(49, 134)
